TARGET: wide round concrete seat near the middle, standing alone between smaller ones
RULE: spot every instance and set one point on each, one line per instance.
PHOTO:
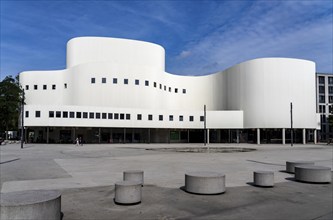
(208, 183)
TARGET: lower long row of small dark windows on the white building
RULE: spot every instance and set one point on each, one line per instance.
(98, 115)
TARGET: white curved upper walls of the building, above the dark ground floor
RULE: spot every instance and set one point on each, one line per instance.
(253, 94)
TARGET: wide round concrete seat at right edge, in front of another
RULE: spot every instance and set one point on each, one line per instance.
(313, 174)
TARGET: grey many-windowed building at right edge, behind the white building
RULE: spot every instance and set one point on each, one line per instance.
(325, 104)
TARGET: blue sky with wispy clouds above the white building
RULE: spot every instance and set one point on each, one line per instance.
(199, 37)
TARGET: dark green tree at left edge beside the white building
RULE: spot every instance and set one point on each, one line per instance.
(10, 102)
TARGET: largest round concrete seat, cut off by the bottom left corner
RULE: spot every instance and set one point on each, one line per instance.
(32, 204)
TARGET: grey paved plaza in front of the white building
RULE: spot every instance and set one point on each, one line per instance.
(86, 176)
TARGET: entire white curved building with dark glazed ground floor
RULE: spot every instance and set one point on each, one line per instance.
(117, 90)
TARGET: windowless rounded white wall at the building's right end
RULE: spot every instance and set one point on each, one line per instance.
(264, 88)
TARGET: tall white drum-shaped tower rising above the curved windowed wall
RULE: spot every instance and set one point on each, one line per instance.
(119, 52)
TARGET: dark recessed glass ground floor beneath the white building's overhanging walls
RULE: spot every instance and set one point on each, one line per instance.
(155, 135)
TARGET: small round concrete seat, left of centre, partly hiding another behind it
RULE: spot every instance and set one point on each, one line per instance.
(128, 192)
